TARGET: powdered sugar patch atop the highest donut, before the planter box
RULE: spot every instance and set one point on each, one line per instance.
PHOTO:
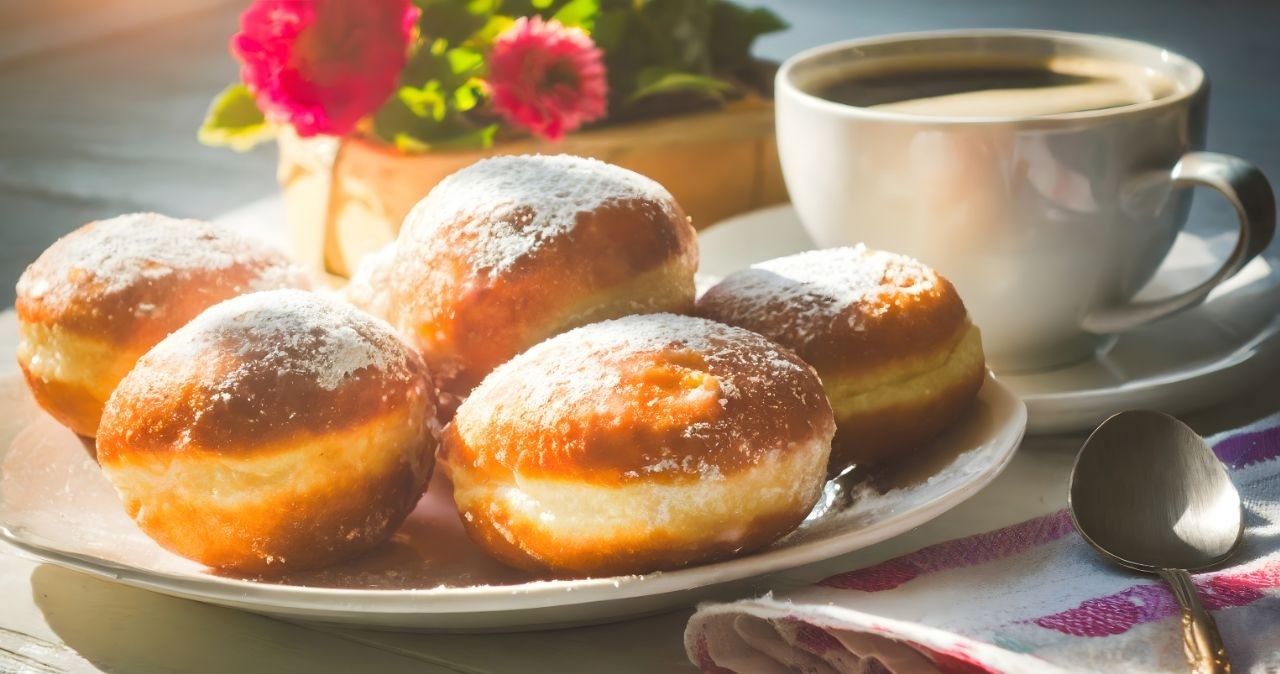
(525, 203)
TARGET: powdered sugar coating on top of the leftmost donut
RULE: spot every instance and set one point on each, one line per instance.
(135, 249)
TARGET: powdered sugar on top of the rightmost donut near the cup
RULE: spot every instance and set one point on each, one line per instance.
(817, 288)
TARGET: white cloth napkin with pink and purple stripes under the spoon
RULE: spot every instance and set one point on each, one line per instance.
(1030, 598)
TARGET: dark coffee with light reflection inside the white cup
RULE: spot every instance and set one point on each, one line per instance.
(996, 88)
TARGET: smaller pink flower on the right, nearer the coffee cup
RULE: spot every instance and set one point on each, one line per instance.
(546, 77)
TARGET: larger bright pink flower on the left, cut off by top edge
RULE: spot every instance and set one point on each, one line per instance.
(323, 65)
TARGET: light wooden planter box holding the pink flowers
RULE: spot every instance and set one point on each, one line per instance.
(346, 198)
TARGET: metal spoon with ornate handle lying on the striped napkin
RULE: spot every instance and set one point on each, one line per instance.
(1150, 496)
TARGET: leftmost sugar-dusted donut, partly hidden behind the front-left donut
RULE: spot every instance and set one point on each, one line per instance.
(104, 295)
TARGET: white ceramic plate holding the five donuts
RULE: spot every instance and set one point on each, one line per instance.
(56, 505)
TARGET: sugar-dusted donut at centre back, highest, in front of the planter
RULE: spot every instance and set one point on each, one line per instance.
(514, 250)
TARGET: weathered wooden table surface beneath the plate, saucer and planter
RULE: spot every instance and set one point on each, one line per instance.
(98, 114)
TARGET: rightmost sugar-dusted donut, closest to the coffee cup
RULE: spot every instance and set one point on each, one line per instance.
(889, 337)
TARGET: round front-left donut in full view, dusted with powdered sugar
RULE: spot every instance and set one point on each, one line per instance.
(277, 432)
